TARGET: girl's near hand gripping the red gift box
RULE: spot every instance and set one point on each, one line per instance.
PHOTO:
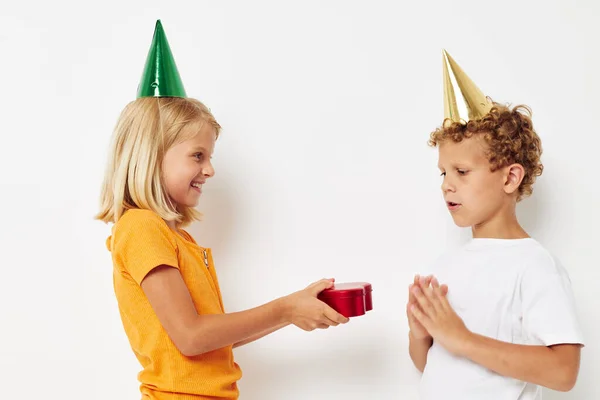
(304, 310)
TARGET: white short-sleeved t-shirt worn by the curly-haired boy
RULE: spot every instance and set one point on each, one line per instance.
(510, 290)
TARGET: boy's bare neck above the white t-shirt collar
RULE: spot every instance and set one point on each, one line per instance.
(503, 225)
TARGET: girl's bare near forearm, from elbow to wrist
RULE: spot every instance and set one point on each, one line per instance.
(211, 332)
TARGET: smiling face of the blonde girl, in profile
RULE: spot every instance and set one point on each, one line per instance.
(187, 165)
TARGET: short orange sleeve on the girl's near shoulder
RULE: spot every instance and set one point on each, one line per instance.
(142, 242)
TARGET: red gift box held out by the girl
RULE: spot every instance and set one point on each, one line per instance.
(349, 299)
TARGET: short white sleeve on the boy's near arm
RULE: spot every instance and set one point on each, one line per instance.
(549, 311)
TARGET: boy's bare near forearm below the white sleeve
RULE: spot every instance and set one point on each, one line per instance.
(540, 365)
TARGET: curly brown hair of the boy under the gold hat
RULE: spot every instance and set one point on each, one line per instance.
(510, 138)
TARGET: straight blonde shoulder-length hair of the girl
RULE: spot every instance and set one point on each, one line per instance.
(146, 129)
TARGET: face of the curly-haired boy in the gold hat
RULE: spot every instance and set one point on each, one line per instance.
(473, 194)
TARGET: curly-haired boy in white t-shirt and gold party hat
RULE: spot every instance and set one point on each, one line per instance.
(504, 323)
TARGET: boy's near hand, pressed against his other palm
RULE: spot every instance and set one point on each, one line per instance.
(434, 313)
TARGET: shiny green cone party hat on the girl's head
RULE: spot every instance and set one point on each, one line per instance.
(161, 77)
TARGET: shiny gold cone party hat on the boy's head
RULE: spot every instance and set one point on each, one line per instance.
(472, 103)
